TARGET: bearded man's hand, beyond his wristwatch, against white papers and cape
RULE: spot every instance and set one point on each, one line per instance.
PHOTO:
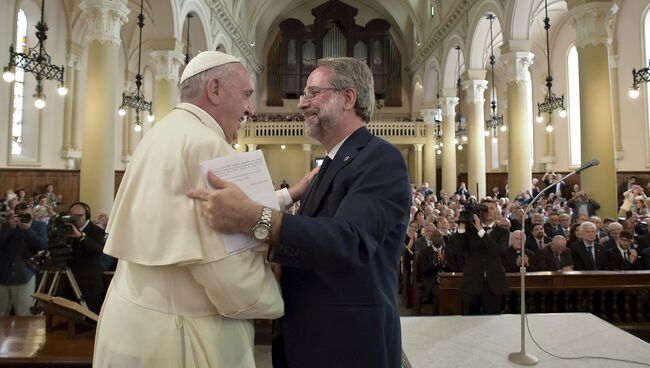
(226, 207)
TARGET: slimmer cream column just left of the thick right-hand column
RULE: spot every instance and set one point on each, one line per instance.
(520, 114)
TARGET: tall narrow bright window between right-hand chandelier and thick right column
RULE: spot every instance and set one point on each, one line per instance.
(574, 106)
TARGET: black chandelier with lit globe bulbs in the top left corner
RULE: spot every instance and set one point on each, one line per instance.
(36, 61)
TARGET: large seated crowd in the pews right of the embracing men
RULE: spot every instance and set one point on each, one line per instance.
(562, 232)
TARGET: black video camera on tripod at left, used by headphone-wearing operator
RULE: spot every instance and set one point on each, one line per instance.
(59, 245)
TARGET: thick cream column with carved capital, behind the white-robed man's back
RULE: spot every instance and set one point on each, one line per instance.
(97, 178)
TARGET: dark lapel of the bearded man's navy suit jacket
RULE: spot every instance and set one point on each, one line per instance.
(348, 151)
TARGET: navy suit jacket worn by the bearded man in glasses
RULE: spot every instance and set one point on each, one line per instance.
(340, 261)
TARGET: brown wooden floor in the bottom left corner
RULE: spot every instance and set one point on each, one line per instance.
(24, 342)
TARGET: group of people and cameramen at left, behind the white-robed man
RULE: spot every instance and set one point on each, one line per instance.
(29, 228)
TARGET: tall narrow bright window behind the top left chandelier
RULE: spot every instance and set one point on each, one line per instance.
(19, 88)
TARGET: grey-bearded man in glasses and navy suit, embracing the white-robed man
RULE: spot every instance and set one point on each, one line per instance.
(340, 254)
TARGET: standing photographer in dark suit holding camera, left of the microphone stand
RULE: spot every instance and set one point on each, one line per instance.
(484, 279)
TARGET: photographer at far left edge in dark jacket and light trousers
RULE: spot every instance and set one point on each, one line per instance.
(20, 238)
